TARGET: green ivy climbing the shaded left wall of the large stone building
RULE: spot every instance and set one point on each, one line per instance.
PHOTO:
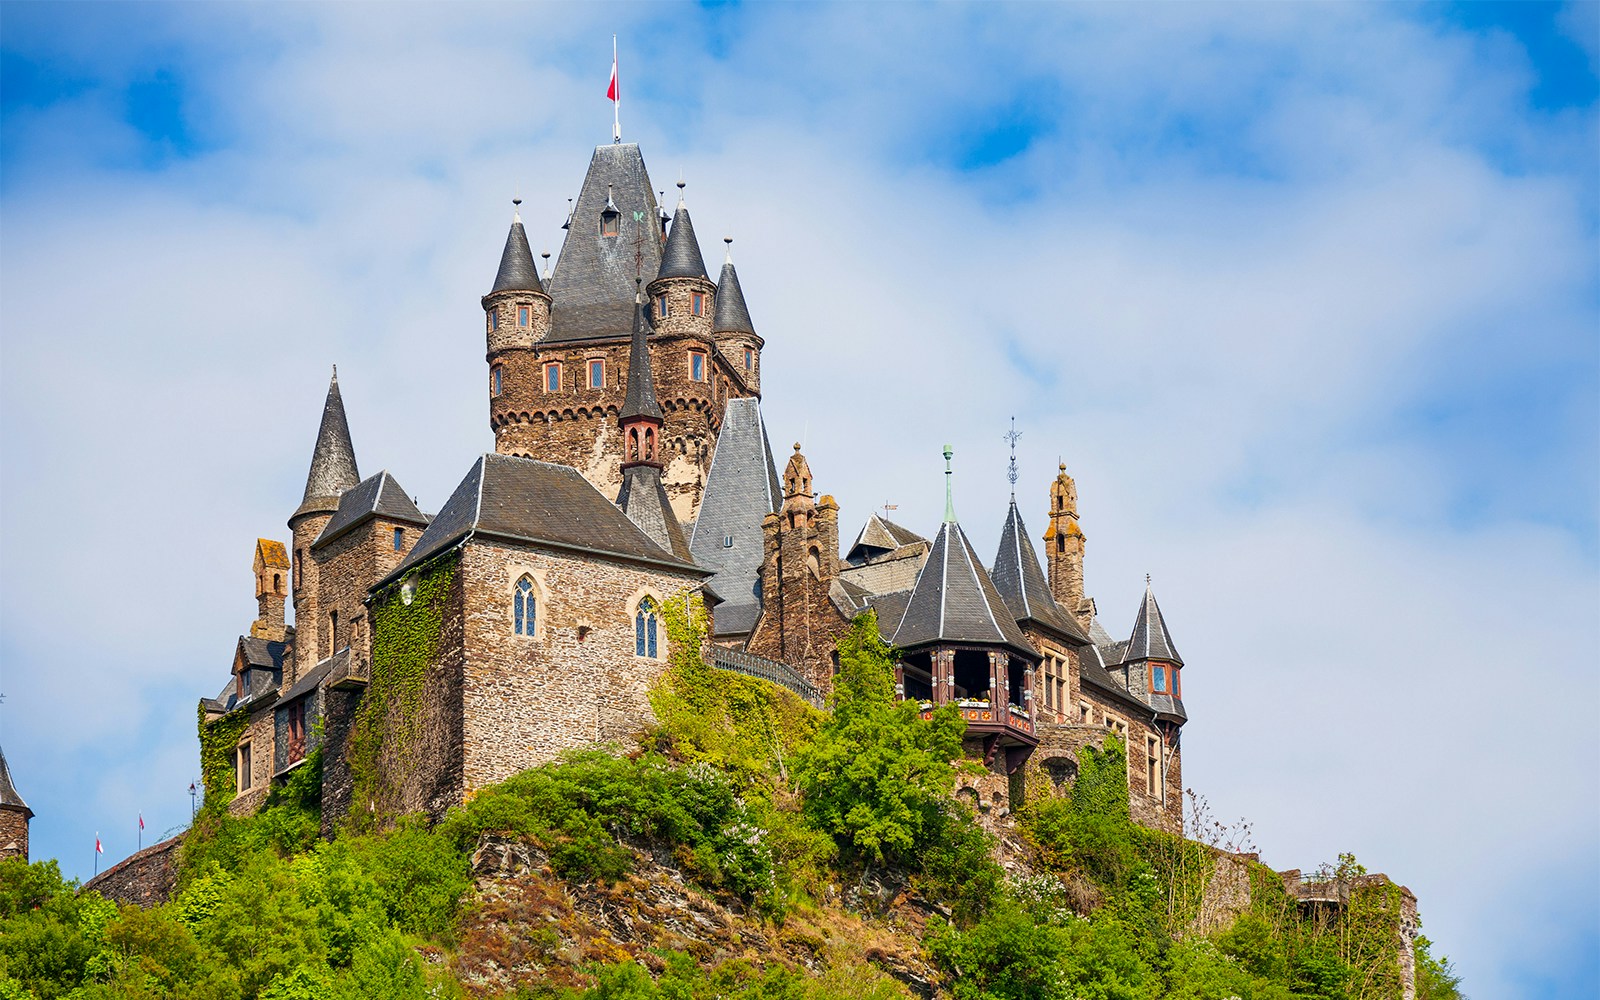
(409, 622)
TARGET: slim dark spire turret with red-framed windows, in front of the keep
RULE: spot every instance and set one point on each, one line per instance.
(642, 498)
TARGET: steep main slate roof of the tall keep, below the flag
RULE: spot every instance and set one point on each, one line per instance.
(593, 287)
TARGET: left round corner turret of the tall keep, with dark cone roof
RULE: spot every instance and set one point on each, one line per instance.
(516, 319)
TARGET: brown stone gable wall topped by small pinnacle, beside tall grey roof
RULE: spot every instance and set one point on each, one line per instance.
(799, 622)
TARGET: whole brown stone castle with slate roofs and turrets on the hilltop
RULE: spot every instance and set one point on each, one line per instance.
(431, 655)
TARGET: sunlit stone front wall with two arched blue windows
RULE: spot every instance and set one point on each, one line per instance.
(574, 684)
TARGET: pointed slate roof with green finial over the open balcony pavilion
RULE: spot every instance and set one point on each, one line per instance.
(956, 602)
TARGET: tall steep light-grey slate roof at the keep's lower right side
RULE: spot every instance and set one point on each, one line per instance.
(742, 489)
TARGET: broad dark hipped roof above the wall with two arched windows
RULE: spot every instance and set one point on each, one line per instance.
(529, 502)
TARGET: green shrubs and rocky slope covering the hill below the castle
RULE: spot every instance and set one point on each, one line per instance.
(751, 850)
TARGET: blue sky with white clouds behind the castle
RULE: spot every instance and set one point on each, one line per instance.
(1306, 297)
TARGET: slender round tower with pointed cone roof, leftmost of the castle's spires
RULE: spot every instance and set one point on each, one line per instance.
(332, 473)
